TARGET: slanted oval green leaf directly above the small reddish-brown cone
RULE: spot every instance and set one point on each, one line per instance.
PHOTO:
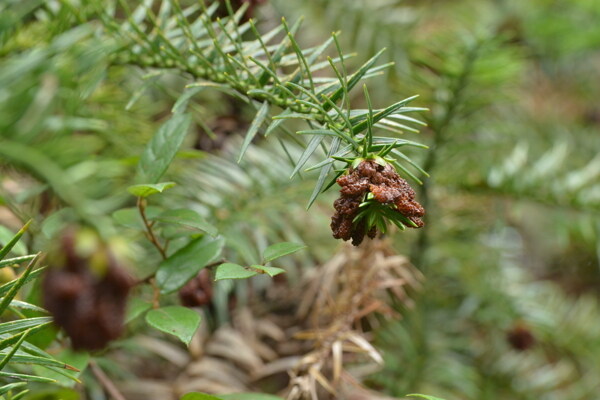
(175, 271)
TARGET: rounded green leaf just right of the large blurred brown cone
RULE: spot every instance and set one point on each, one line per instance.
(178, 321)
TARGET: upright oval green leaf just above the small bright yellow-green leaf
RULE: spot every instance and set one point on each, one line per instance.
(162, 148)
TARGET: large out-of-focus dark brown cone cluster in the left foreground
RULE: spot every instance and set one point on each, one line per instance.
(86, 292)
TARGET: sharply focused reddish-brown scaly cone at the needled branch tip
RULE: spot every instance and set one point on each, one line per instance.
(386, 186)
